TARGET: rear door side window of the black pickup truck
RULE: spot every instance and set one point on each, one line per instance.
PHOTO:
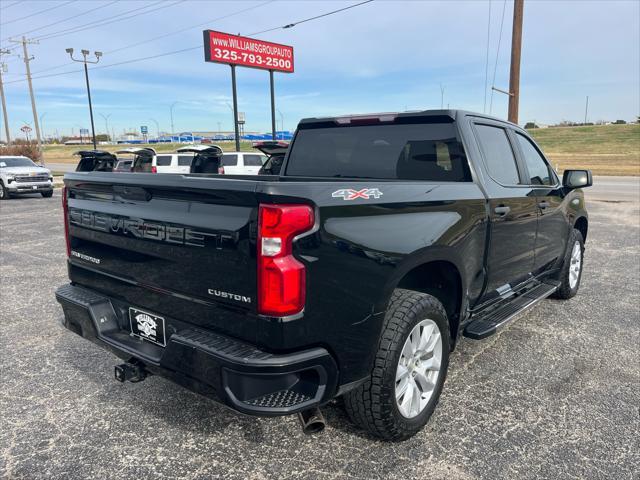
(498, 155)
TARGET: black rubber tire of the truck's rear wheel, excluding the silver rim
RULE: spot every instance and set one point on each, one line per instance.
(372, 405)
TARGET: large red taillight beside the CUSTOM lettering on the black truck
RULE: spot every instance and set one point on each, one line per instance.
(281, 278)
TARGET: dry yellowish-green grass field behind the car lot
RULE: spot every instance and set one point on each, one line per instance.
(606, 149)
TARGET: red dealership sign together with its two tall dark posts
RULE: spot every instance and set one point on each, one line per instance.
(235, 50)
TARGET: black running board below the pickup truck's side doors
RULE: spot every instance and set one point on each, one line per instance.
(487, 323)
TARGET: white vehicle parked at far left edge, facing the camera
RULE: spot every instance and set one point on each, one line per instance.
(20, 175)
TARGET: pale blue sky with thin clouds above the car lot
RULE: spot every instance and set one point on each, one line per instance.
(381, 56)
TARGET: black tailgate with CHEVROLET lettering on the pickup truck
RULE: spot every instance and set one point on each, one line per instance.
(176, 245)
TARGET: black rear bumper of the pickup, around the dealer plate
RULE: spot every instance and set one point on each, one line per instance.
(227, 370)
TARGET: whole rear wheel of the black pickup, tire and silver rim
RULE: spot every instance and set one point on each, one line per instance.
(409, 369)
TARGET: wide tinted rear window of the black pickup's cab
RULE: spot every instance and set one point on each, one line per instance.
(430, 152)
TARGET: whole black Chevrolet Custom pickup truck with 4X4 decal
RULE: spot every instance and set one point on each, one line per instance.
(352, 273)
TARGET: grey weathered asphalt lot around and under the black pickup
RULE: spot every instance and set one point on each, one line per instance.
(555, 395)
